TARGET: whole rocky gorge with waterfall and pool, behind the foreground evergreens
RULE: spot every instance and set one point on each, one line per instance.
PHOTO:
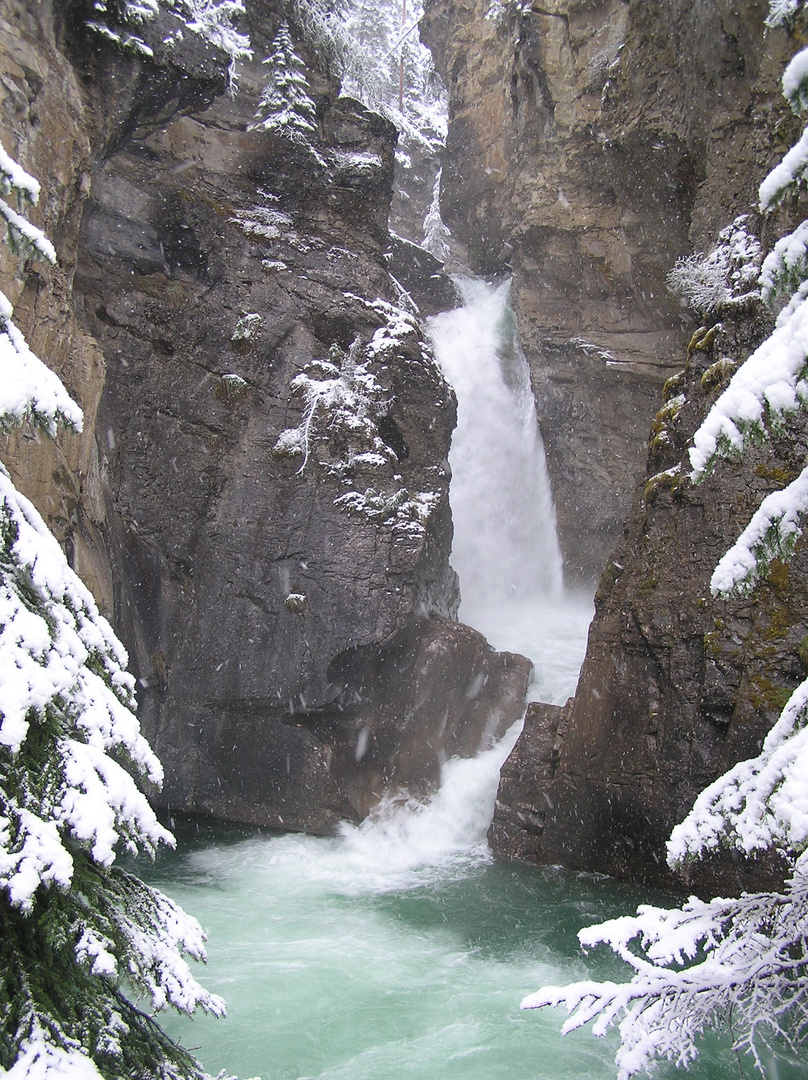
(392, 330)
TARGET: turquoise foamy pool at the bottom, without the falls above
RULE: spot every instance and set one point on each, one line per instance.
(340, 963)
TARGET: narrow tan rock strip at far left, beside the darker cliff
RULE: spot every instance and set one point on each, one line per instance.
(45, 119)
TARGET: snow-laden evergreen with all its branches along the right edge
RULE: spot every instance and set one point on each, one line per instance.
(738, 964)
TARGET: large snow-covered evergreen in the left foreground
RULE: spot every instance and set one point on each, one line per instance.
(87, 950)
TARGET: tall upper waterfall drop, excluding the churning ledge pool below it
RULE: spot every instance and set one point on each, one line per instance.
(505, 523)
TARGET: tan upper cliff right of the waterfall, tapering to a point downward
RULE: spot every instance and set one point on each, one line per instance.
(590, 145)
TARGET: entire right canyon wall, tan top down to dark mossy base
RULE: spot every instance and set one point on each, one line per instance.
(591, 145)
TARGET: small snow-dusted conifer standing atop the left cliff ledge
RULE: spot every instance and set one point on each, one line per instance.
(286, 107)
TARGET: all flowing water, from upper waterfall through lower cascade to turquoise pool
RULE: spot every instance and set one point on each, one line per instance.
(402, 949)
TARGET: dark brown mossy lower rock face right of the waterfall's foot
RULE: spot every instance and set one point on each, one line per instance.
(677, 686)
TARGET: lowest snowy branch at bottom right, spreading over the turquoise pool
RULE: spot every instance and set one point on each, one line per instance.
(699, 966)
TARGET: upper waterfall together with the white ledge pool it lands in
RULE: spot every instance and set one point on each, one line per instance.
(506, 549)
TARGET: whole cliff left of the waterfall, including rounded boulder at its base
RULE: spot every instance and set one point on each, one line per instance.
(260, 498)
